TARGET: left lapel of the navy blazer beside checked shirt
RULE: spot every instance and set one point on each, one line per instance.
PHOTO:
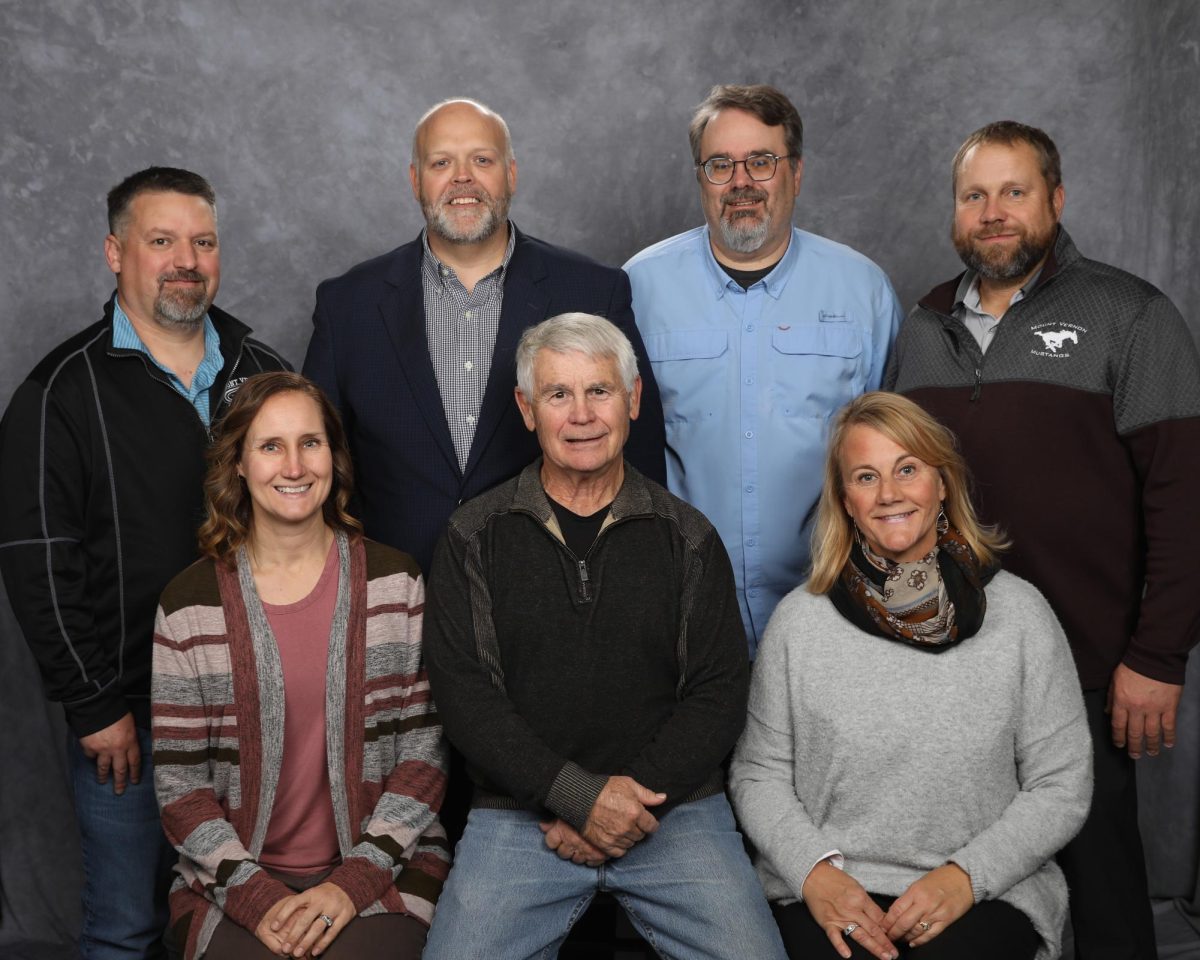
(403, 311)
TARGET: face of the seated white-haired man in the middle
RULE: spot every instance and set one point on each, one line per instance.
(581, 413)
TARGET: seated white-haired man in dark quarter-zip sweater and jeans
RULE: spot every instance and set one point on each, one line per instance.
(587, 657)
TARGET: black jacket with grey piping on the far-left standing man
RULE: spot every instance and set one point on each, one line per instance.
(101, 471)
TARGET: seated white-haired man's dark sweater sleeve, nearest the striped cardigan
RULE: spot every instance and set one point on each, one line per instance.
(478, 717)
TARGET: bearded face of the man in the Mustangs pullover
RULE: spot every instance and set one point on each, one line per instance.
(1005, 215)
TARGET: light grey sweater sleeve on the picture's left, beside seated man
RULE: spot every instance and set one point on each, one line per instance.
(763, 777)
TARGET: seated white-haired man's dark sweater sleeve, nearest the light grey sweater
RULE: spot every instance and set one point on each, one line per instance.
(710, 716)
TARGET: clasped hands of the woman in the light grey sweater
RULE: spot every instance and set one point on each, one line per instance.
(923, 911)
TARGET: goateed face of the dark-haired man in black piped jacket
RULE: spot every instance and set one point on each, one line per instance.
(167, 261)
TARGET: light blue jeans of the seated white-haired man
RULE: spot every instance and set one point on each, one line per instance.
(689, 890)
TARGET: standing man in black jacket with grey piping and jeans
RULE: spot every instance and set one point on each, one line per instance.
(101, 471)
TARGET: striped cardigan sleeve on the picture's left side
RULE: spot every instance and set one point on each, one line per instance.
(187, 733)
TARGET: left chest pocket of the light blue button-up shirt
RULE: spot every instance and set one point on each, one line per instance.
(689, 367)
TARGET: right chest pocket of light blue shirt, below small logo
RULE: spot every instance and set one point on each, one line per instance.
(815, 367)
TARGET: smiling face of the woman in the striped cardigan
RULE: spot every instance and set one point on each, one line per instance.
(287, 464)
